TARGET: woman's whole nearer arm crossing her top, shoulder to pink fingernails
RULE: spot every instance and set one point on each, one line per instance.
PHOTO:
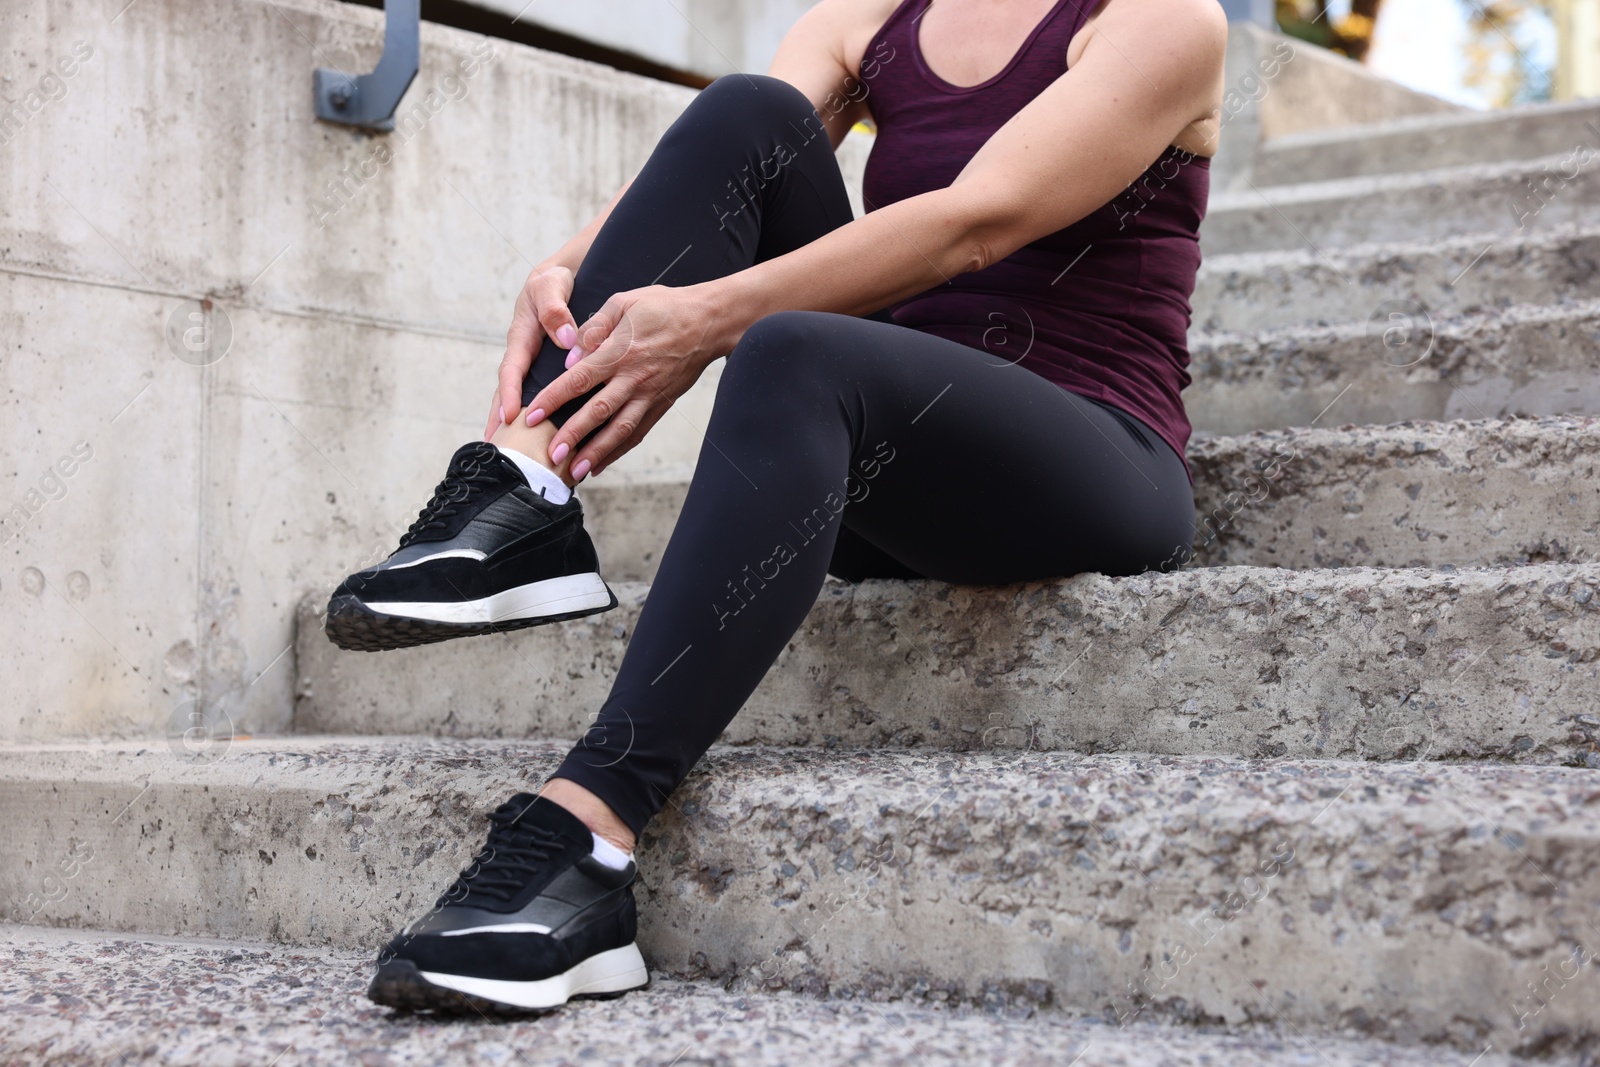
(1146, 71)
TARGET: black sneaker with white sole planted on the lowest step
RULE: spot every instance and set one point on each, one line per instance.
(534, 922)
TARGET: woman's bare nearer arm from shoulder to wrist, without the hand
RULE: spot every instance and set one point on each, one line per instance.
(1148, 70)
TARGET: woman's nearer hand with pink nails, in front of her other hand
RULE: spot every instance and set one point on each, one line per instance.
(647, 348)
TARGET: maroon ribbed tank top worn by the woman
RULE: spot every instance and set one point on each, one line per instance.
(1100, 308)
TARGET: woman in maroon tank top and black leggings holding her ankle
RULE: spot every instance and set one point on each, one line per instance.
(978, 382)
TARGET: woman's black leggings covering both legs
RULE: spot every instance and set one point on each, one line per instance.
(838, 446)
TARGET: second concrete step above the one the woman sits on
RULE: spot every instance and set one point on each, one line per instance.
(1394, 364)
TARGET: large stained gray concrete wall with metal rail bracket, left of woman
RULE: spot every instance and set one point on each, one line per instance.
(164, 518)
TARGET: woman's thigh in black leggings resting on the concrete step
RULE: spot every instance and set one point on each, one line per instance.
(970, 470)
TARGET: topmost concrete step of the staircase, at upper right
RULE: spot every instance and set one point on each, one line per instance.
(1430, 143)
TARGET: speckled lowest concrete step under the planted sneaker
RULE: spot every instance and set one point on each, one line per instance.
(217, 1004)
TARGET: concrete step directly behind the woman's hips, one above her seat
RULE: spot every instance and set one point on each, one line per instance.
(1468, 494)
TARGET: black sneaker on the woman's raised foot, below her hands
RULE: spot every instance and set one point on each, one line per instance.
(487, 554)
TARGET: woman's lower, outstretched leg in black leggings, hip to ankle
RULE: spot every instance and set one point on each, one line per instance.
(946, 463)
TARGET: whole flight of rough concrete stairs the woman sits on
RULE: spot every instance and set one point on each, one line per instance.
(1330, 786)
